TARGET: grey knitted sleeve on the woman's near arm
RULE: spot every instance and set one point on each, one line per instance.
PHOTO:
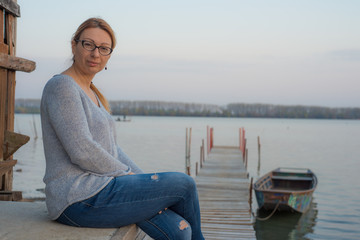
(64, 109)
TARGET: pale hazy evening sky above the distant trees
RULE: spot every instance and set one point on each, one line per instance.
(204, 51)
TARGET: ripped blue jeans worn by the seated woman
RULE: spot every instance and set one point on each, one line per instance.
(142, 199)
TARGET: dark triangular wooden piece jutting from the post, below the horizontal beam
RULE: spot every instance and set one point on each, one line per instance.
(12, 142)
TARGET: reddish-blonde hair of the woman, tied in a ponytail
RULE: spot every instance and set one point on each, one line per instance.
(102, 24)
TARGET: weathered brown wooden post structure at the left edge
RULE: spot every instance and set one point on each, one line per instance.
(9, 64)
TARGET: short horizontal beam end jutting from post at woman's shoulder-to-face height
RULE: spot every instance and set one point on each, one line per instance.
(16, 63)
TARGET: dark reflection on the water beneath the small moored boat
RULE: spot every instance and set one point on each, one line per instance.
(286, 225)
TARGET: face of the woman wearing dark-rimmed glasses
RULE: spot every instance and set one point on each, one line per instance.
(91, 62)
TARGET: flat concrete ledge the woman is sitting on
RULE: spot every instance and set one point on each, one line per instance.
(29, 220)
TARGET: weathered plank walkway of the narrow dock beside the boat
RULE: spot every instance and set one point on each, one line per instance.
(223, 187)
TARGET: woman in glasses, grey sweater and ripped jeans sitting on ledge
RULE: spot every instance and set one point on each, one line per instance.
(90, 181)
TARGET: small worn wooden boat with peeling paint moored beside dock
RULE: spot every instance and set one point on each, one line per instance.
(288, 189)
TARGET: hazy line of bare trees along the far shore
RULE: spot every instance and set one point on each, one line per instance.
(161, 108)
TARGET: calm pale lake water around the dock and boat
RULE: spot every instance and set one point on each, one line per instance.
(329, 147)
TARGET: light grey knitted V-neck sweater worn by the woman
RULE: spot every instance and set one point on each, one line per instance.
(81, 152)
